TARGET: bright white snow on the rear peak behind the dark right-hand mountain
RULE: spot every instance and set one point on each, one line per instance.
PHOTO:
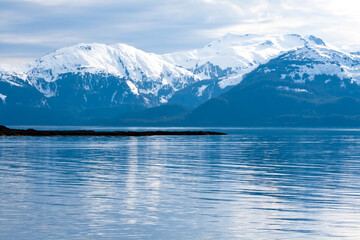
(238, 54)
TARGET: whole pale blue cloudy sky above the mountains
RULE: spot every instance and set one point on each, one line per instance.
(29, 29)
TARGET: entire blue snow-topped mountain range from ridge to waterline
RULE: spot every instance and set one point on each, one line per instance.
(237, 80)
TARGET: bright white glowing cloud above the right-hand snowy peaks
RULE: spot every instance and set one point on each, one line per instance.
(335, 21)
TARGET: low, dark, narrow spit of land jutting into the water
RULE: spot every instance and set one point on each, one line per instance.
(4, 131)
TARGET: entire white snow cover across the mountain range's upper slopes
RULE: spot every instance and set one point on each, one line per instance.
(225, 60)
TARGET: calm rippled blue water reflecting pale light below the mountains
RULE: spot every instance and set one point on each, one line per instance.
(252, 184)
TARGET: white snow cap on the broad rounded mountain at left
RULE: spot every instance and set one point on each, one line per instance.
(120, 60)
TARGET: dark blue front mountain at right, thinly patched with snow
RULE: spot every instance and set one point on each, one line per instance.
(313, 85)
